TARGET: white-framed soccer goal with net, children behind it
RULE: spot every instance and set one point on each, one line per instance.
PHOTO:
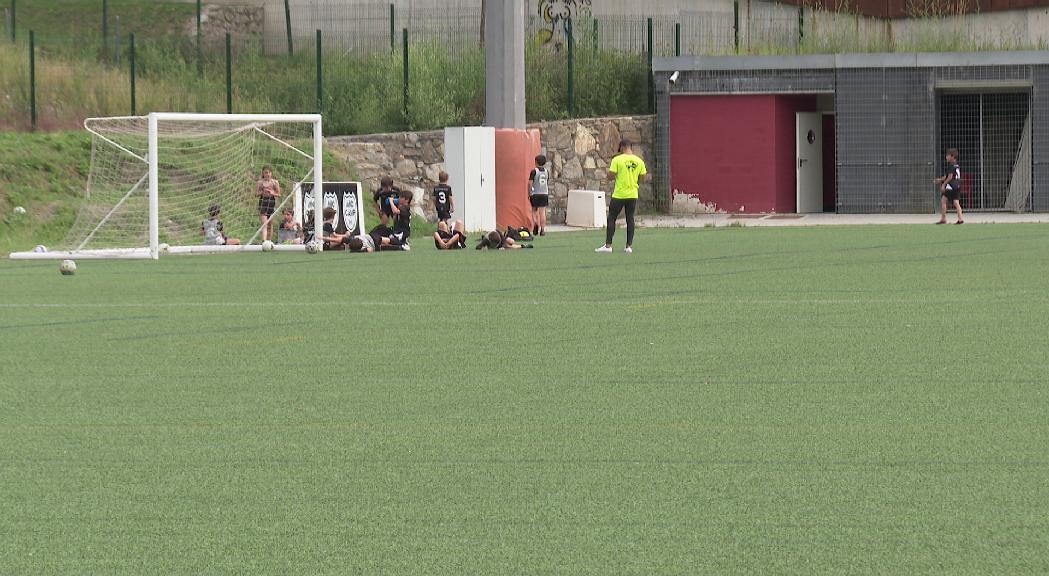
(156, 180)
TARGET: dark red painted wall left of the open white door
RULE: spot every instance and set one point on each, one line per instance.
(737, 153)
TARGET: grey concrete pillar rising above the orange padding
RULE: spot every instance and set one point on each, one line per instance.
(505, 65)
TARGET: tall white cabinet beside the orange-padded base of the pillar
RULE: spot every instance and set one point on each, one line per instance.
(470, 162)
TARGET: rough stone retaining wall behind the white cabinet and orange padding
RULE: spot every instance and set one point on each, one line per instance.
(580, 152)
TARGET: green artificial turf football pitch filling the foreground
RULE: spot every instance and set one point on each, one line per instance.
(803, 401)
